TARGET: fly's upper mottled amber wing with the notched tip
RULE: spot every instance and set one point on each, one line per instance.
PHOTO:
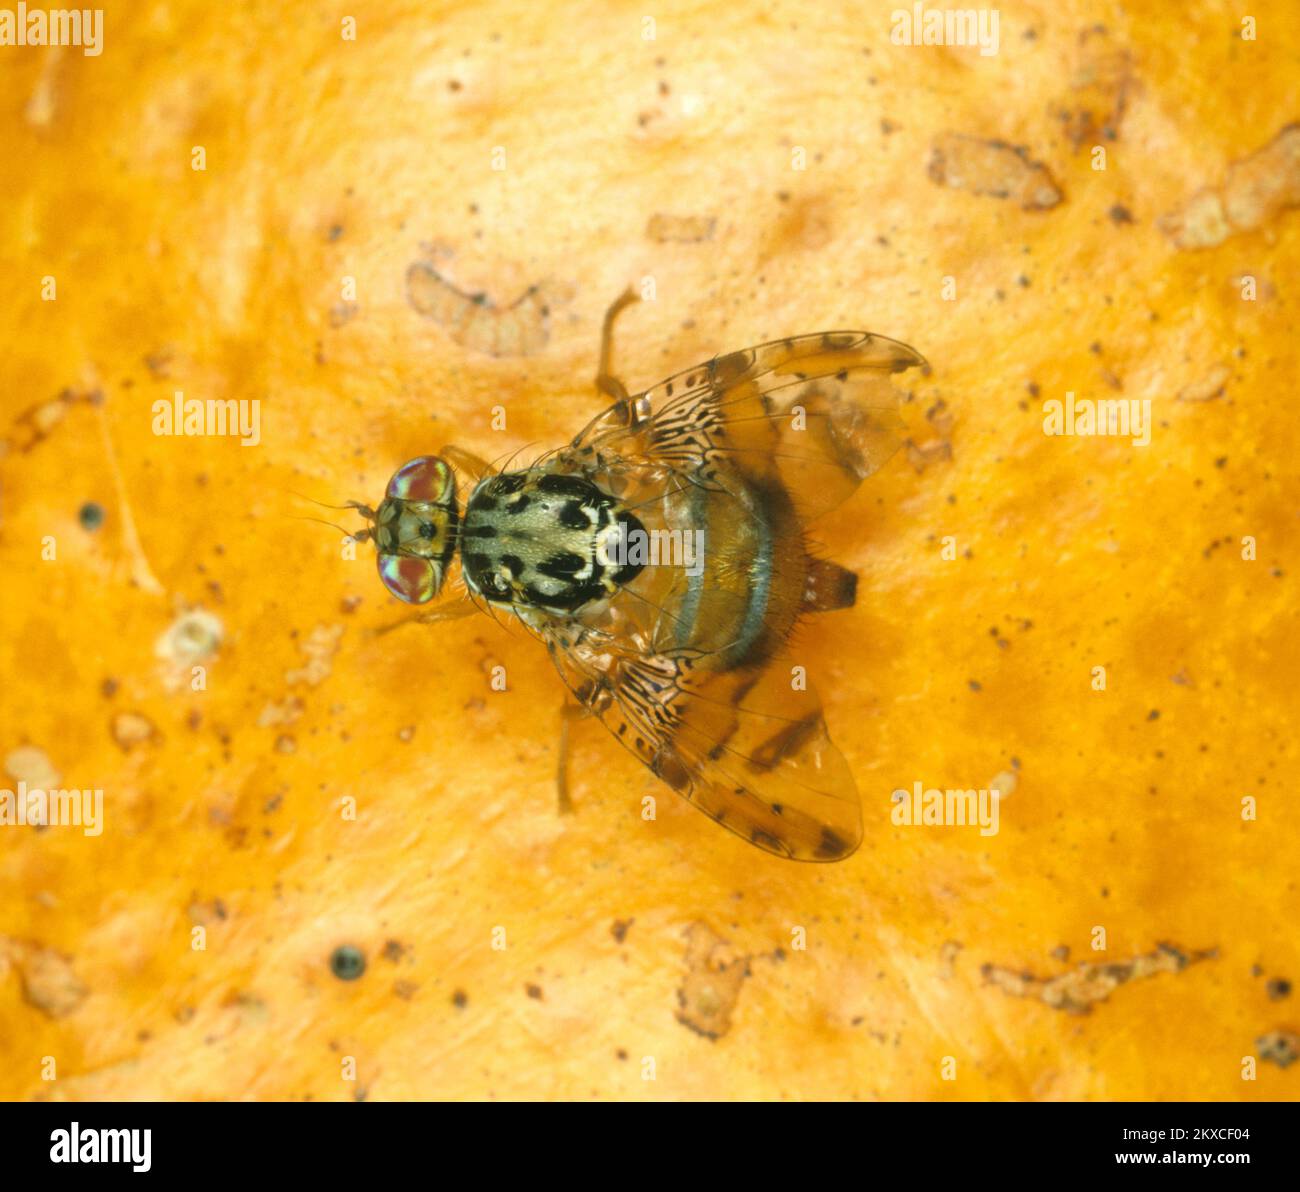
(817, 414)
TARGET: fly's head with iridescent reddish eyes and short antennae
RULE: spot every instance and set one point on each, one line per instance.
(415, 530)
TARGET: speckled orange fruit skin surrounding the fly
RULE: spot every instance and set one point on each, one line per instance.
(512, 952)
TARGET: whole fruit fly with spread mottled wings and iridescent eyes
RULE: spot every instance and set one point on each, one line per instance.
(662, 558)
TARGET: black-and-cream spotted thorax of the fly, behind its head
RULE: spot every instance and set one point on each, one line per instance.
(547, 540)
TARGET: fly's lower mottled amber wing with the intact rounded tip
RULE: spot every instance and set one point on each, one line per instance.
(747, 745)
